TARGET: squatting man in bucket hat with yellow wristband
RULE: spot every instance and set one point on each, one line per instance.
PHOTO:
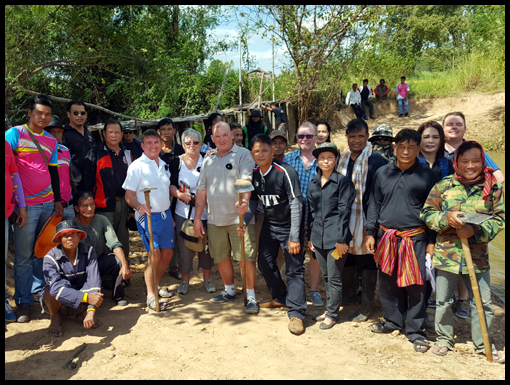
(71, 274)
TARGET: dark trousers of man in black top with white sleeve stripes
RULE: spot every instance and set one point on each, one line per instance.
(270, 241)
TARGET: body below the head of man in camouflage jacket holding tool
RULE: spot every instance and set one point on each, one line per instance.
(448, 197)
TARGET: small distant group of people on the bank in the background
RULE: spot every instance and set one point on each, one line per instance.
(358, 97)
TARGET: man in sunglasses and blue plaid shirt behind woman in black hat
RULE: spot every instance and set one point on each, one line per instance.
(305, 165)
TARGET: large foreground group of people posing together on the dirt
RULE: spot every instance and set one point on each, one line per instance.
(371, 213)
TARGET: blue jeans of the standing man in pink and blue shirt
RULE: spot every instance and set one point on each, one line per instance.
(28, 275)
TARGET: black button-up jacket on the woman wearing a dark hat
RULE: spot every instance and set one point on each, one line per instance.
(329, 210)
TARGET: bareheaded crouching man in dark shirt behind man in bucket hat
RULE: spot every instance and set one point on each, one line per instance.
(101, 236)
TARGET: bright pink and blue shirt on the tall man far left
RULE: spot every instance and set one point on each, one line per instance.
(32, 169)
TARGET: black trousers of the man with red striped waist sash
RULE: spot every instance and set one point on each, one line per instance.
(405, 307)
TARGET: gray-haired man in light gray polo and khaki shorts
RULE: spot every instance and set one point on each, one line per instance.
(226, 163)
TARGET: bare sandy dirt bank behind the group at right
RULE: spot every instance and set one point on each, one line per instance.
(485, 113)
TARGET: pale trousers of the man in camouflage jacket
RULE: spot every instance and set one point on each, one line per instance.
(445, 287)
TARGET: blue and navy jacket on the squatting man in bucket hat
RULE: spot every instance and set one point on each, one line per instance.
(68, 283)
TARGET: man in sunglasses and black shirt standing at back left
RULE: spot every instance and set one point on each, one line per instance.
(77, 138)
